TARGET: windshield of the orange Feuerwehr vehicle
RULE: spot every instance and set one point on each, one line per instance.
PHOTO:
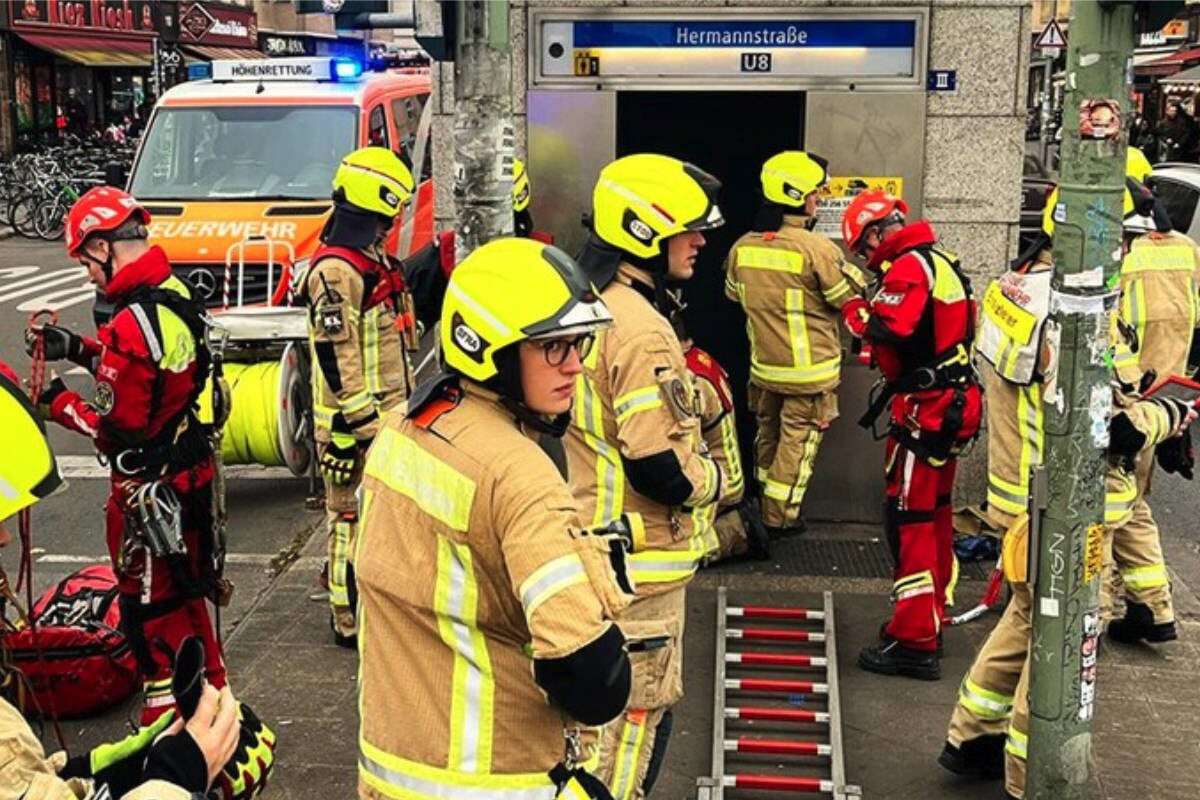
(243, 153)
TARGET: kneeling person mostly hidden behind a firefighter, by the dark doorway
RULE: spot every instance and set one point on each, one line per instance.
(737, 531)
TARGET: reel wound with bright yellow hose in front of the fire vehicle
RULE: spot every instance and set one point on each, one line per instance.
(268, 420)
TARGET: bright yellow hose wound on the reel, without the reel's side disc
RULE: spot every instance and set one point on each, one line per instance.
(253, 434)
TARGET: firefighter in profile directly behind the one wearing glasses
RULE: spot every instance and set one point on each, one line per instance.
(635, 450)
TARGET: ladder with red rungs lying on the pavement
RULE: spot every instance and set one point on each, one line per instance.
(777, 641)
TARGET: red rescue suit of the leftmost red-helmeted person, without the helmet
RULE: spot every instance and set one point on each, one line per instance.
(137, 400)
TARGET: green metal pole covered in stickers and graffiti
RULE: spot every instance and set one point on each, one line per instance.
(1088, 260)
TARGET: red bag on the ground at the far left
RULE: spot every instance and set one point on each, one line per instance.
(87, 664)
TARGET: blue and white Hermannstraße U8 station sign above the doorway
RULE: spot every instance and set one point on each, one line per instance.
(820, 47)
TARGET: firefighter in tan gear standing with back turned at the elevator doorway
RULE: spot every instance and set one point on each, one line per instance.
(793, 285)
